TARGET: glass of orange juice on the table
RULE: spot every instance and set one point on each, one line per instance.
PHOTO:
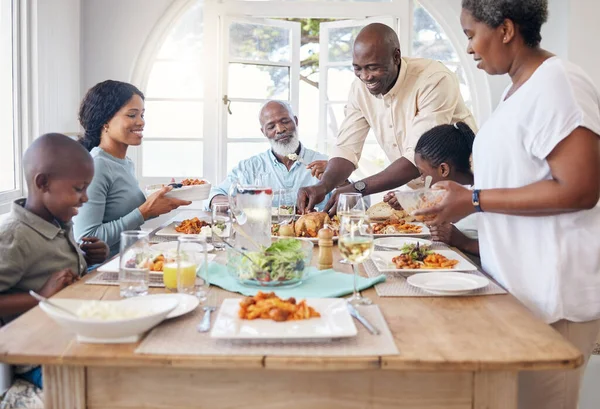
(191, 266)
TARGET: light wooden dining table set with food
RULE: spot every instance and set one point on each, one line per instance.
(454, 353)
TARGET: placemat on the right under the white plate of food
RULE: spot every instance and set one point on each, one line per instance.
(396, 285)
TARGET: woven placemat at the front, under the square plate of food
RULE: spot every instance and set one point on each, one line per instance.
(179, 337)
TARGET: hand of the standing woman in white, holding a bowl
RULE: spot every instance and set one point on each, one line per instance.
(455, 205)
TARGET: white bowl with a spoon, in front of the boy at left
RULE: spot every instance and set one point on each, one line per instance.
(126, 330)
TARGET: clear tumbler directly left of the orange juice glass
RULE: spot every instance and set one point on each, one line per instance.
(134, 269)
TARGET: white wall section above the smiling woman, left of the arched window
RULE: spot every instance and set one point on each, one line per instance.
(113, 34)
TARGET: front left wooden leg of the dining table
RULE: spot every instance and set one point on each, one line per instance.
(64, 387)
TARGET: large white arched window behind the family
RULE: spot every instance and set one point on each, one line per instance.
(186, 137)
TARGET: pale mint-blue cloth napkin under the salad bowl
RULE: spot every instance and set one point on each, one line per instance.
(316, 283)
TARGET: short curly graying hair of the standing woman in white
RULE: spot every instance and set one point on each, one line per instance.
(528, 15)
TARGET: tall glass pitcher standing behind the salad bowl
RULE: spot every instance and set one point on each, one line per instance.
(251, 207)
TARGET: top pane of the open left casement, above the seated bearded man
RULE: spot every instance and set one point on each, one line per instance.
(259, 42)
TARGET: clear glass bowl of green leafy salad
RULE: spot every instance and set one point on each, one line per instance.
(284, 263)
